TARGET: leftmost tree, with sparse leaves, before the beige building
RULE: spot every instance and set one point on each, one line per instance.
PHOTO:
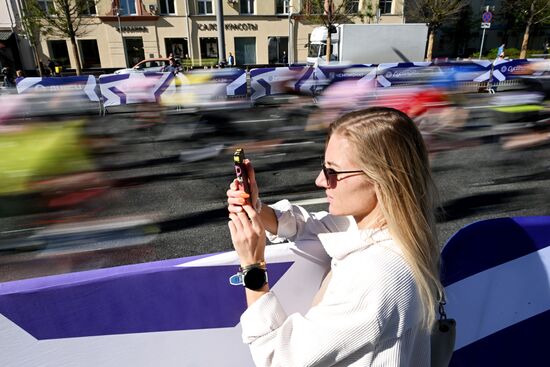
(64, 18)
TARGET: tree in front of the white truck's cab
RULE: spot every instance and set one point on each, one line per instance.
(330, 13)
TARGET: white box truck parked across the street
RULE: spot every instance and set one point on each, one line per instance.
(369, 43)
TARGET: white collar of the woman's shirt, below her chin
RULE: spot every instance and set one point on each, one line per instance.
(340, 244)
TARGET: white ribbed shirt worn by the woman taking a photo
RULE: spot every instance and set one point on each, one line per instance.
(370, 314)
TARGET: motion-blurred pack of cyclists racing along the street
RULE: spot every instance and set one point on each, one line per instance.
(63, 155)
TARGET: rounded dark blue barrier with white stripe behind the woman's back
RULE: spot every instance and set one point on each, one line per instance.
(497, 288)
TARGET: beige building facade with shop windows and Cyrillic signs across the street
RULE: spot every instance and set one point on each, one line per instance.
(124, 32)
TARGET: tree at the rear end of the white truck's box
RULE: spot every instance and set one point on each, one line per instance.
(435, 13)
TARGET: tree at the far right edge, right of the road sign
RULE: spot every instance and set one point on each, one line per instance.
(529, 13)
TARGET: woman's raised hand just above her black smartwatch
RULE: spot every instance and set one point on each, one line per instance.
(248, 235)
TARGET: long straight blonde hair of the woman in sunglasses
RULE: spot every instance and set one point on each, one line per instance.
(390, 150)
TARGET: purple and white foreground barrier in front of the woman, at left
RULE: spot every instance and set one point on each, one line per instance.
(179, 312)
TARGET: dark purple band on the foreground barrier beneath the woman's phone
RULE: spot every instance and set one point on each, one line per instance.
(147, 299)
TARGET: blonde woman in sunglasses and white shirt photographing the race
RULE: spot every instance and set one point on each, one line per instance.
(378, 302)
